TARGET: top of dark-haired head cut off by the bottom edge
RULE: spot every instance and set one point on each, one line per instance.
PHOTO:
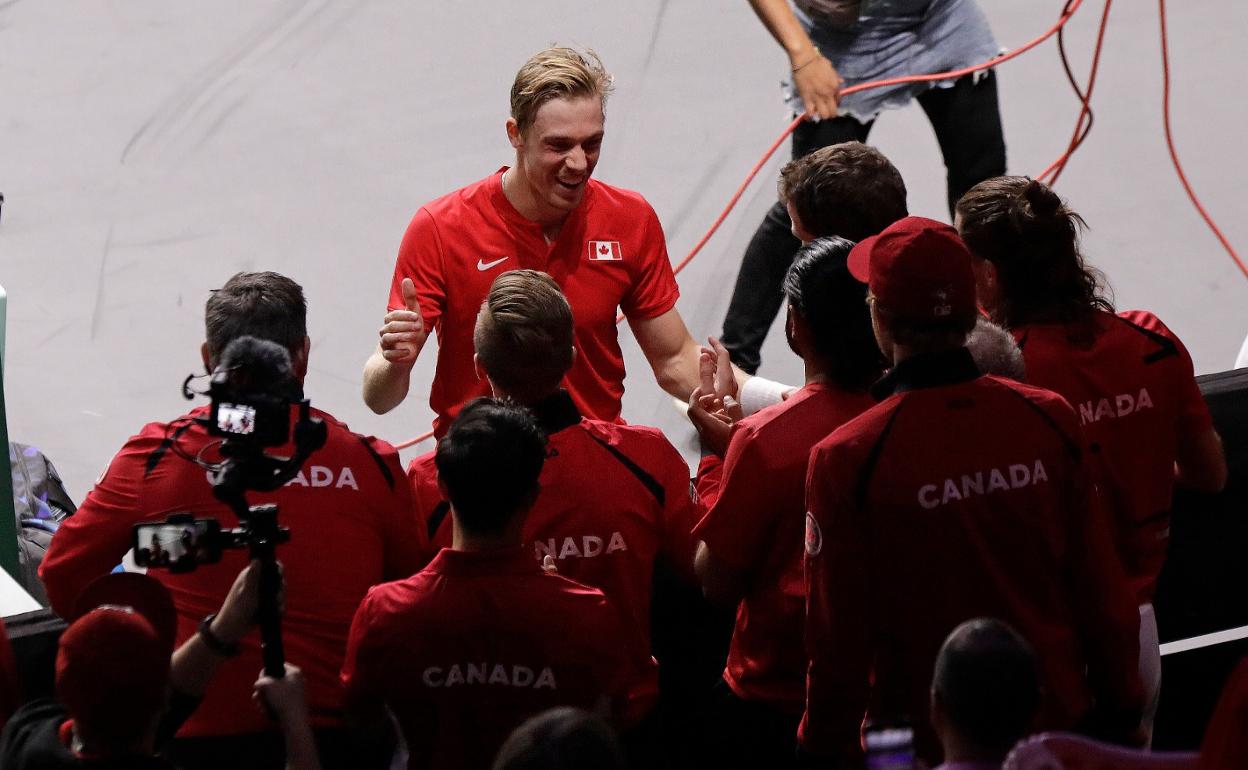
(562, 739)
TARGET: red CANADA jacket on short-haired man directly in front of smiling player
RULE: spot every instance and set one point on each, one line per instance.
(613, 499)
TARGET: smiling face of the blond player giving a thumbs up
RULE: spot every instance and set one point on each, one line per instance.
(556, 157)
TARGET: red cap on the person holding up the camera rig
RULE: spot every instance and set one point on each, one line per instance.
(113, 663)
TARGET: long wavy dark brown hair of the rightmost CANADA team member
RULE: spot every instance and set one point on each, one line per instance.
(1033, 238)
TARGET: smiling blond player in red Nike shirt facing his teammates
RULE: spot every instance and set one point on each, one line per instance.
(602, 245)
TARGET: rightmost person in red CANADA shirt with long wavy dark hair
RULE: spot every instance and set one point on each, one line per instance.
(1128, 375)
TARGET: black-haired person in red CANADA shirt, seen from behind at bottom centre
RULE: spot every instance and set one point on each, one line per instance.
(482, 638)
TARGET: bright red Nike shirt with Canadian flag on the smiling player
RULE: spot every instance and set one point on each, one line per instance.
(611, 254)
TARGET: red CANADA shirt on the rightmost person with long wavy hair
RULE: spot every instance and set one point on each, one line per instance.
(1133, 384)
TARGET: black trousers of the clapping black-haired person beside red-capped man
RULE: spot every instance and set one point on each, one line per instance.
(746, 734)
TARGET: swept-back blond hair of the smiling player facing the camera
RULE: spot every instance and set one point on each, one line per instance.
(557, 73)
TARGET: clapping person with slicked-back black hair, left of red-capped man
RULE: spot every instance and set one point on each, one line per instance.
(751, 540)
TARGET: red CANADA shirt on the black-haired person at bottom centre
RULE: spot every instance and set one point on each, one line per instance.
(479, 642)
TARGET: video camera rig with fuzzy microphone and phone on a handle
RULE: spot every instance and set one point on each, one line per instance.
(254, 395)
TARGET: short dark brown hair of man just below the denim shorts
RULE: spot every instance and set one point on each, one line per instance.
(848, 190)
